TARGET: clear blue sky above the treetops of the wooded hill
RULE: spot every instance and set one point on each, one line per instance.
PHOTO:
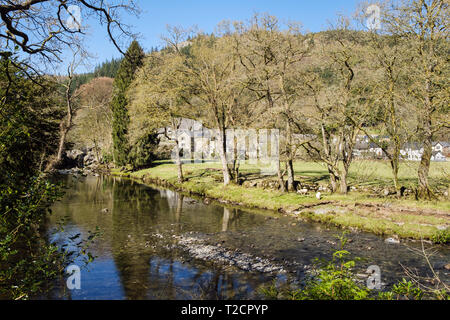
(156, 15)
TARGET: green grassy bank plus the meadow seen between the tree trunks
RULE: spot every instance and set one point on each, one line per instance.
(405, 218)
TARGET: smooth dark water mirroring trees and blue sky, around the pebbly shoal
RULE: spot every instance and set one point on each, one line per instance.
(134, 264)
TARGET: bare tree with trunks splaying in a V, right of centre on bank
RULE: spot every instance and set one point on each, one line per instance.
(336, 87)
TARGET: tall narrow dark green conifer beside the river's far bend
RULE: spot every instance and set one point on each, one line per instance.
(132, 61)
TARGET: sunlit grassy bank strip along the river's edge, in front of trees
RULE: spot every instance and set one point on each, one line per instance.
(359, 210)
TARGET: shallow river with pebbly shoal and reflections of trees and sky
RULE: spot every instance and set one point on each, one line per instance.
(159, 244)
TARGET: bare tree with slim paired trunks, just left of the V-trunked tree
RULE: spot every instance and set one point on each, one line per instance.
(271, 57)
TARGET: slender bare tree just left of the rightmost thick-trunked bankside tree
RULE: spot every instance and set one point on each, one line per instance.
(389, 97)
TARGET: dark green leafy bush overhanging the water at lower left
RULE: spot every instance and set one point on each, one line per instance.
(27, 261)
